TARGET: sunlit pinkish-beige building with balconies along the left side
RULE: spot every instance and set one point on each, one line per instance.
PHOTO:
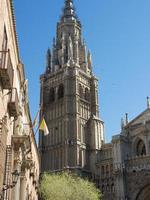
(18, 150)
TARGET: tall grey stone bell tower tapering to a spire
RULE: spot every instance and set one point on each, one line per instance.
(69, 101)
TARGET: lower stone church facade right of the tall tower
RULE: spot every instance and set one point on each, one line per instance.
(123, 167)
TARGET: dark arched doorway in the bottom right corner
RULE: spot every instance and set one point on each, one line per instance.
(144, 194)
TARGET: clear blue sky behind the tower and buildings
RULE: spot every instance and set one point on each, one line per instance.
(118, 34)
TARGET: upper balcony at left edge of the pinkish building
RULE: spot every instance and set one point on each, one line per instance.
(6, 70)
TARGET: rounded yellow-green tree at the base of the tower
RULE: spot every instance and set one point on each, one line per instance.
(65, 186)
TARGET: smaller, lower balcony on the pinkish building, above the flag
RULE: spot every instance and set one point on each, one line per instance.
(13, 105)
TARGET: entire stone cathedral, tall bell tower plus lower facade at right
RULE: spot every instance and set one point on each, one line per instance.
(69, 104)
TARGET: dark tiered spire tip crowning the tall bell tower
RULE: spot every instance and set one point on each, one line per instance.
(69, 12)
